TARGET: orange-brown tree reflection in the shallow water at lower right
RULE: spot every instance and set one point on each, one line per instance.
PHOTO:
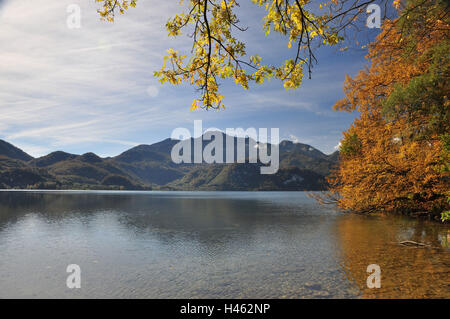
(407, 272)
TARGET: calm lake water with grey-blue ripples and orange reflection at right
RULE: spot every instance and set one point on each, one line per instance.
(211, 245)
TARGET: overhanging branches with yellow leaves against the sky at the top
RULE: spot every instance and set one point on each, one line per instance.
(218, 53)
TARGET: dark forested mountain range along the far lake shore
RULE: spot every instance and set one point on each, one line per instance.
(302, 167)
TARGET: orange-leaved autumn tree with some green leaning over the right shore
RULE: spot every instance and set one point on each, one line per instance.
(395, 156)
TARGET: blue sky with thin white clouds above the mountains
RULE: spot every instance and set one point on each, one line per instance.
(92, 88)
